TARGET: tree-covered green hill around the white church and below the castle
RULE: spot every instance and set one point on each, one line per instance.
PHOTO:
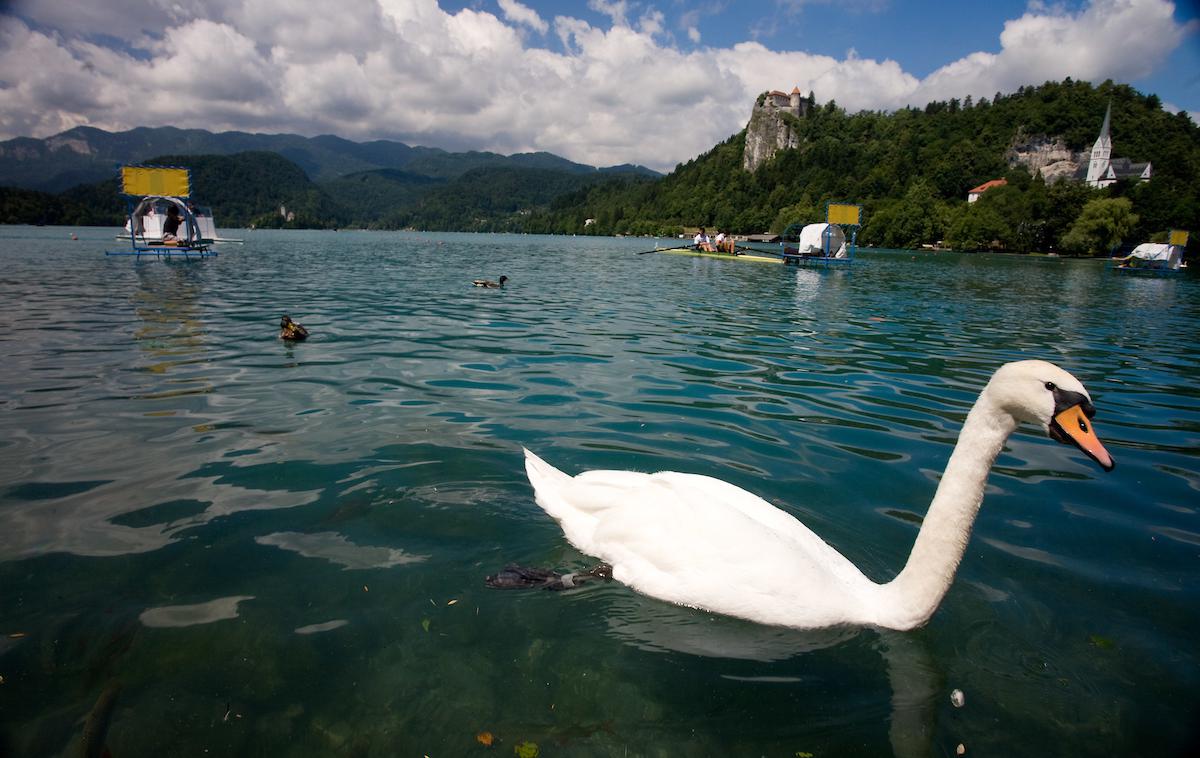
(911, 171)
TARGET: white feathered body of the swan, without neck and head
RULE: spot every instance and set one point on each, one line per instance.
(703, 543)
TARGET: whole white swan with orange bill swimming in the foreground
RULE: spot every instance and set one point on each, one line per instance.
(703, 543)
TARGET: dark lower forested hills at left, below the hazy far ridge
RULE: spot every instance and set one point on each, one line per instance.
(267, 190)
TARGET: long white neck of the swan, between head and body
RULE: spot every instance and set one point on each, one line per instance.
(916, 593)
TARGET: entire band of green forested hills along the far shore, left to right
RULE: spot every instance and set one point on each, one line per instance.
(910, 171)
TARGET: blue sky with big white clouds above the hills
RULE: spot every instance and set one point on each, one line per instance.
(599, 82)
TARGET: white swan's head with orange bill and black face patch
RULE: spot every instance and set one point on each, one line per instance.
(1041, 393)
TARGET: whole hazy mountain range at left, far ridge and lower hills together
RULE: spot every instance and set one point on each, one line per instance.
(289, 181)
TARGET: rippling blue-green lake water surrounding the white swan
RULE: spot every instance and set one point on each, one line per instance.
(213, 543)
